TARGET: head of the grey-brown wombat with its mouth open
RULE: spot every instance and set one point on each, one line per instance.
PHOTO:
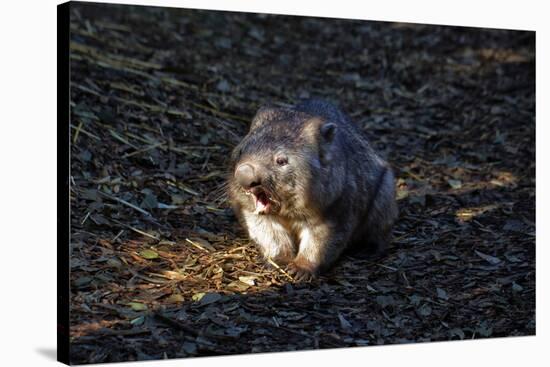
(276, 168)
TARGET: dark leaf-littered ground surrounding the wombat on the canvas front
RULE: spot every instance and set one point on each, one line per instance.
(159, 266)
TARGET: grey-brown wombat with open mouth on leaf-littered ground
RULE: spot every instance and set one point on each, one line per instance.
(305, 183)
